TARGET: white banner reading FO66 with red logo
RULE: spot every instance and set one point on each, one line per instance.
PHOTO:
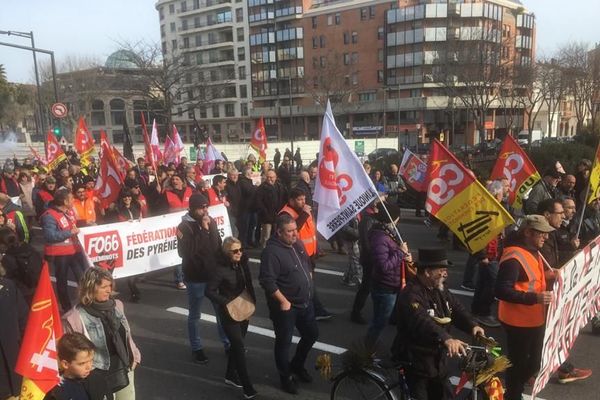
(136, 247)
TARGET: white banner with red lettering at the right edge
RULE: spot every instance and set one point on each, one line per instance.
(575, 300)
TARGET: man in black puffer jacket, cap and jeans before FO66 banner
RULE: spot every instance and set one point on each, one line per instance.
(198, 243)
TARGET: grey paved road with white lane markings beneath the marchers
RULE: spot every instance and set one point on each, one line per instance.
(167, 371)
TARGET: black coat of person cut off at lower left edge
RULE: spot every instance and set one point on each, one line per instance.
(13, 312)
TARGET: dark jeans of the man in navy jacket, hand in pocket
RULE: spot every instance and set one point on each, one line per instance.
(283, 325)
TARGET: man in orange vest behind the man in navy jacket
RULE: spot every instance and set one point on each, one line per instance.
(307, 234)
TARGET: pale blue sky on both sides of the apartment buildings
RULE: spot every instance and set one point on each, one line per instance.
(94, 27)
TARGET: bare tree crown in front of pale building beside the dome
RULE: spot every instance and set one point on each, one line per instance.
(174, 81)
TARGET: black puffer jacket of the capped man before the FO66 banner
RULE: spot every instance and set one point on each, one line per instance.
(197, 248)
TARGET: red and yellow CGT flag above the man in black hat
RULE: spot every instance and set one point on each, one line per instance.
(457, 199)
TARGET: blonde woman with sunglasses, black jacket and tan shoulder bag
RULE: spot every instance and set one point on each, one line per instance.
(230, 279)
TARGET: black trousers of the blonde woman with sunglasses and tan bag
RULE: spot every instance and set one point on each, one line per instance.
(236, 363)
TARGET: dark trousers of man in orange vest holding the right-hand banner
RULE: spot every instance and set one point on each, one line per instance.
(524, 348)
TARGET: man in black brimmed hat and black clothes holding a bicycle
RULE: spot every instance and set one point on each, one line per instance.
(426, 311)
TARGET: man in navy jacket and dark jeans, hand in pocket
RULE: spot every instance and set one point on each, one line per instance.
(285, 275)
